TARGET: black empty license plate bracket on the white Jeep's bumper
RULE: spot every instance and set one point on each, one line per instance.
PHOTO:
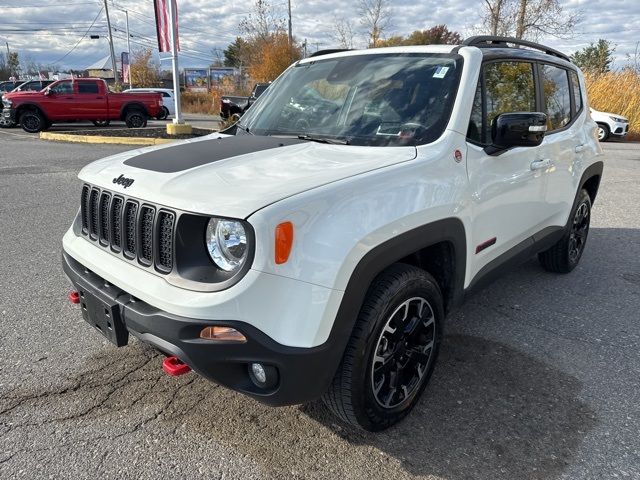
(104, 317)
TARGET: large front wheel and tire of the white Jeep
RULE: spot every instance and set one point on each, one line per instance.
(365, 391)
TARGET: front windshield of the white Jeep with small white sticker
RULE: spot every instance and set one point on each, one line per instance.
(379, 99)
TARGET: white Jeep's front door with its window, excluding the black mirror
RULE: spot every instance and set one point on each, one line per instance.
(508, 190)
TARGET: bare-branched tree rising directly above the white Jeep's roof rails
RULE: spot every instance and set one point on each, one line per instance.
(528, 18)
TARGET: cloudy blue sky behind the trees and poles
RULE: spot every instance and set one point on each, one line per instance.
(49, 32)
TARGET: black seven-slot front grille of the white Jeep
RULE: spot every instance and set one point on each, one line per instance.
(136, 230)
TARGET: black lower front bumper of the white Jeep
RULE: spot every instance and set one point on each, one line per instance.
(303, 373)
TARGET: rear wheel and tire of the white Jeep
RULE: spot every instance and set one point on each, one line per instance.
(564, 256)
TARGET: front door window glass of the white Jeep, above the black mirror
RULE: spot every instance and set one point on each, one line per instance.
(508, 87)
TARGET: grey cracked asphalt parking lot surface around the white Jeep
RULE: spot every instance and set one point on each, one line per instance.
(539, 374)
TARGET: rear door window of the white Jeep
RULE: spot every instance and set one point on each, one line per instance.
(557, 96)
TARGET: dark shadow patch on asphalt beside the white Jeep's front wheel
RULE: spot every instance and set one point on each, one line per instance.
(489, 412)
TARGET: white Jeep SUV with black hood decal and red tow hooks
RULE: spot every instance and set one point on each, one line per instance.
(314, 248)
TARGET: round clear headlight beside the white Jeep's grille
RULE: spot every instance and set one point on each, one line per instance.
(227, 243)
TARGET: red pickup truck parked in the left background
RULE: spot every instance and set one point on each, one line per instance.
(78, 99)
